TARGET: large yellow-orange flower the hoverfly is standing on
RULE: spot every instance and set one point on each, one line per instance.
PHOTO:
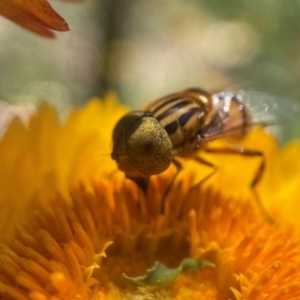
(72, 224)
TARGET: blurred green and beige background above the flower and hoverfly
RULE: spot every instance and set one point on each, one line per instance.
(144, 49)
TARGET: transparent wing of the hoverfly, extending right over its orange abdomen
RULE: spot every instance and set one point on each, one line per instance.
(238, 112)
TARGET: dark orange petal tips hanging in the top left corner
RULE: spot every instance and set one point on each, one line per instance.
(35, 15)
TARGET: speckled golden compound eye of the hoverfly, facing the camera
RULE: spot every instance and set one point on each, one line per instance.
(149, 146)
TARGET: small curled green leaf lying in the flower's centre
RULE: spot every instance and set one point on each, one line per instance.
(160, 275)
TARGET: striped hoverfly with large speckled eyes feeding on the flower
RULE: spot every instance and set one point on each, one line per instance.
(146, 142)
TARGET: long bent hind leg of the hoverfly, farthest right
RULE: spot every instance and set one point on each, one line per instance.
(258, 175)
